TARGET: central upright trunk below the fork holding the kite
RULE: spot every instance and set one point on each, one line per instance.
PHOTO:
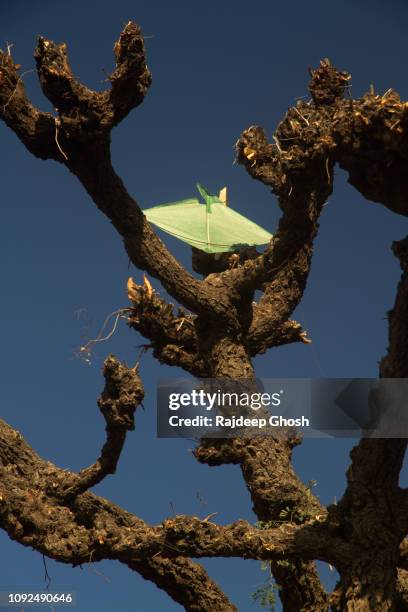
(265, 466)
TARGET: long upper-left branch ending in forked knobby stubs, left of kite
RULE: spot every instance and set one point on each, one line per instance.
(80, 138)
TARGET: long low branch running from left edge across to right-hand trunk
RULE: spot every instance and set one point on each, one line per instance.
(74, 530)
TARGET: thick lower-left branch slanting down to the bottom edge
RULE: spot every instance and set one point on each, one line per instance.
(85, 528)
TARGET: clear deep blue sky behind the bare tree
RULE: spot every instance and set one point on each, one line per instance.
(218, 67)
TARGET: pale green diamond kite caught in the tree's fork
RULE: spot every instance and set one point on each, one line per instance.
(212, 227)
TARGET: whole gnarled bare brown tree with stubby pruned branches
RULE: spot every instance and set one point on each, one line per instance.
(52, 510)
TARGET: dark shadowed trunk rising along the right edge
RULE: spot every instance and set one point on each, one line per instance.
(374, 508)
